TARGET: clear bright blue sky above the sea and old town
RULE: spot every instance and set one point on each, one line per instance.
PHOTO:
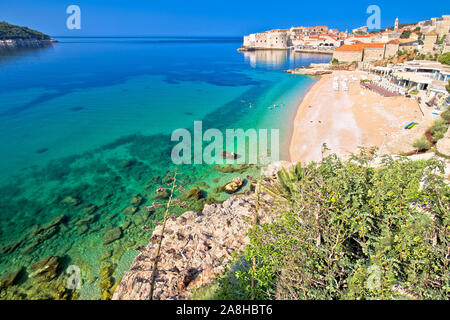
(207, 17)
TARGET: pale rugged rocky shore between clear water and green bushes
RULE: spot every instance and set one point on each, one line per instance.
(197, 246)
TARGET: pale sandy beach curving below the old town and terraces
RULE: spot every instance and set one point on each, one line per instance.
(349, 120)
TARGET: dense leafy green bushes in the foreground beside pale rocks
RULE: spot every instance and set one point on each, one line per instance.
(345, 230)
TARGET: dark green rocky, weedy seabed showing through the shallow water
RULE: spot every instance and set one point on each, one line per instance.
(89, 209)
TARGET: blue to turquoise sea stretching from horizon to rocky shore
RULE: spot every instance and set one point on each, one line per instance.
(90, 119)
